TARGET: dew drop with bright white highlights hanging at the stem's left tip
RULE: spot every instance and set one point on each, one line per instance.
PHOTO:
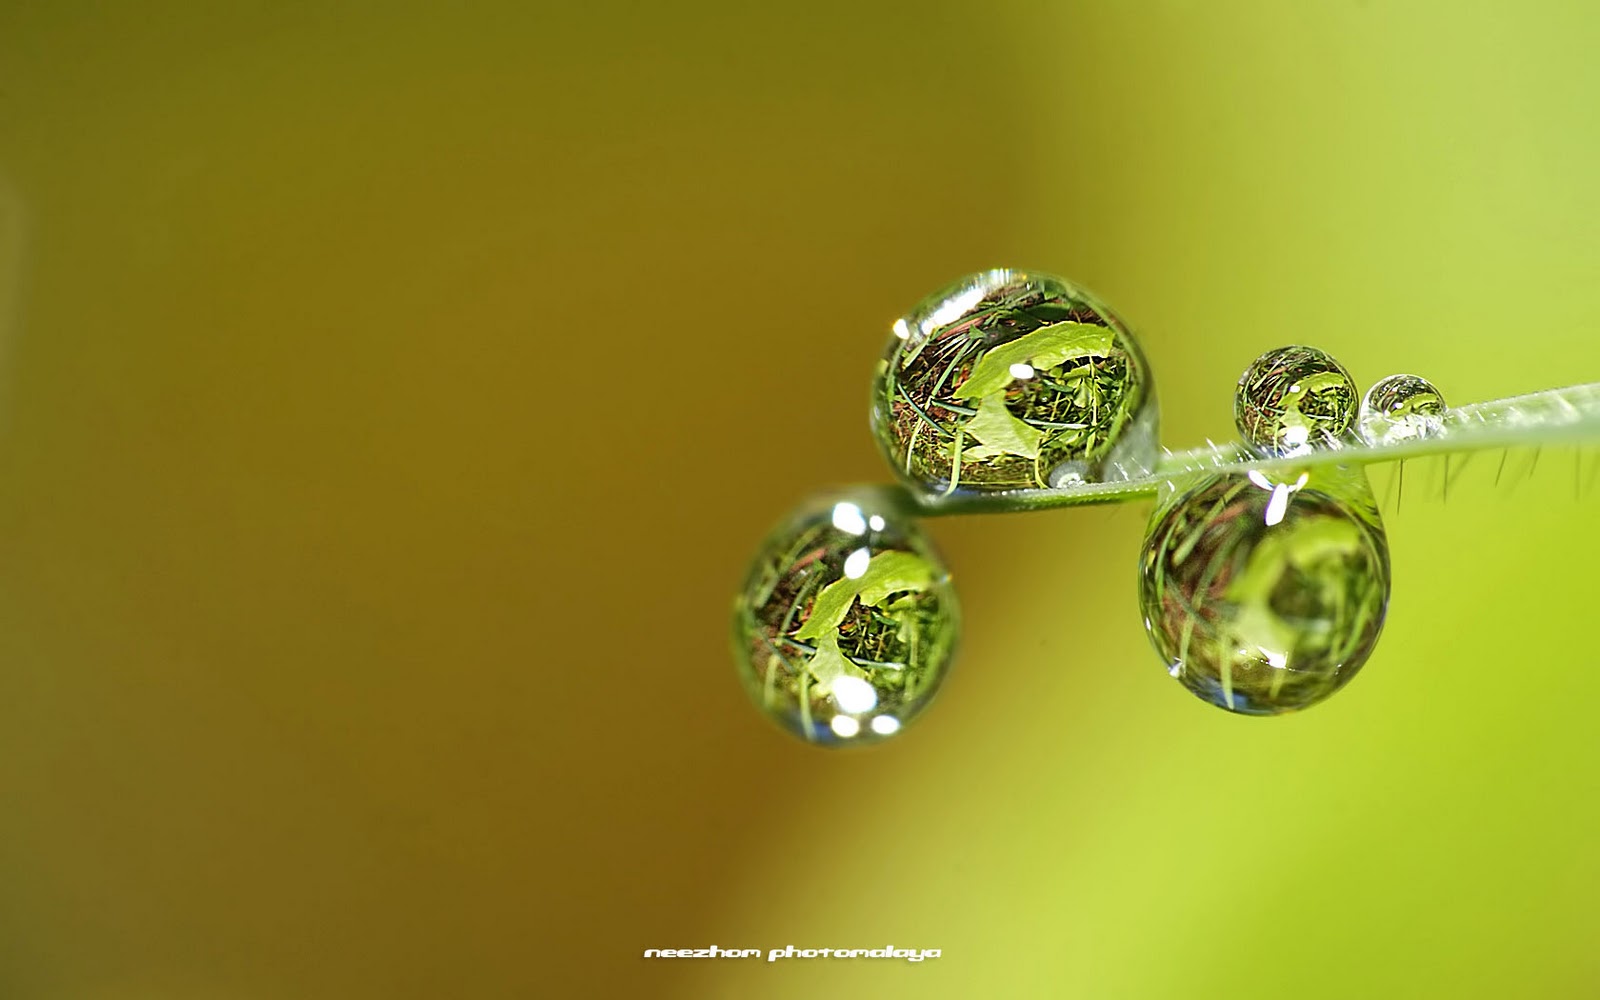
(846, 625)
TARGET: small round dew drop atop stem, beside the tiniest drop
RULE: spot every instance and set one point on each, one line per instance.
(1295, 399)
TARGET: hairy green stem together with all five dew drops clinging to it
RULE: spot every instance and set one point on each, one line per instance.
(1265, 575)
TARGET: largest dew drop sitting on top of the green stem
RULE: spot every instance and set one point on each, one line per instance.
(1014, 380)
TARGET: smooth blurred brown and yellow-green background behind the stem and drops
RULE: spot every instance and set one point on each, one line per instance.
(391, 399)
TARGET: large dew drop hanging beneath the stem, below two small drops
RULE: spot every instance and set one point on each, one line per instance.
(1265, 594)
